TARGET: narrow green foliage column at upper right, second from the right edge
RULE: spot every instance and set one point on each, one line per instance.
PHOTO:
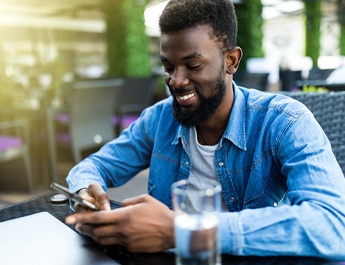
(312, 23)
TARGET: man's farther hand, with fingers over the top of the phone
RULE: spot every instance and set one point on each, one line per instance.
(94, 194)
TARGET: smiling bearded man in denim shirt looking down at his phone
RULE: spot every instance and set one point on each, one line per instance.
(283, 190)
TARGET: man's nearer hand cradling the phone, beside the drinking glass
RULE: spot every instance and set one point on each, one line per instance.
(143, 224)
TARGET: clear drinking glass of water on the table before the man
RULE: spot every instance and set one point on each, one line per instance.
(196, 222)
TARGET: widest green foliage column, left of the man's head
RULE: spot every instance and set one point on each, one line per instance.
(127, 43)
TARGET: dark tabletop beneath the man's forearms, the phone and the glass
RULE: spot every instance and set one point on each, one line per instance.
(121, 255)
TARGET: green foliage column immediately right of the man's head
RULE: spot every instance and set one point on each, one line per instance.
(250, 32)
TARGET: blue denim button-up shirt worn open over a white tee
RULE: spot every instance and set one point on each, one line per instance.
(281, 182)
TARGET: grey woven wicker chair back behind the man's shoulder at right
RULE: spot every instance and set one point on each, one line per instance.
(329, 111)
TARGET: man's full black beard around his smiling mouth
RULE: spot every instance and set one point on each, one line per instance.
(204, 111)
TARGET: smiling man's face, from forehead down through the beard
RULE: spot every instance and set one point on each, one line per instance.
(194, 72)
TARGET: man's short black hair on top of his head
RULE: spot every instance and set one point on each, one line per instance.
(219, 14)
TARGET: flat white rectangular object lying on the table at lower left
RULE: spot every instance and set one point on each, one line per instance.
(42, 239)
